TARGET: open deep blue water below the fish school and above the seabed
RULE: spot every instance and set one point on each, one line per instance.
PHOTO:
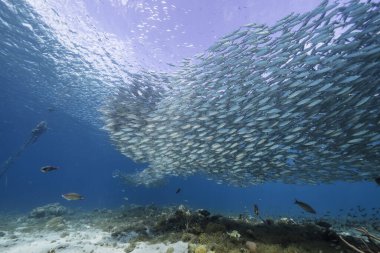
(87, 158)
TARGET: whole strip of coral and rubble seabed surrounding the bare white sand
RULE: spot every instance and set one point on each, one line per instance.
(200, 230)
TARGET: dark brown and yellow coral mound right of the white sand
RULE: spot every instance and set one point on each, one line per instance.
(222, 234)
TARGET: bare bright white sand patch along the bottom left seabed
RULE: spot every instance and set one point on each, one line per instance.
(88, 240)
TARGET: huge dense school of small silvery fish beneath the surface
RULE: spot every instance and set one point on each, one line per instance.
(296, 102)
